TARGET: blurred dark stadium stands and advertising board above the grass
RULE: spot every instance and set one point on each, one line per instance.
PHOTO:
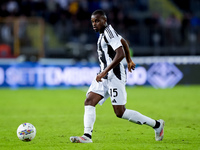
(51, 42)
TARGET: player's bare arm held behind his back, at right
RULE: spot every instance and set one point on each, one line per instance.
(130, 63)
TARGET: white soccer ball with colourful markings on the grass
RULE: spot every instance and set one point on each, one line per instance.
(26, 132)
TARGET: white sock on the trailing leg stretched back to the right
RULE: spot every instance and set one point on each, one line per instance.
(138, 118)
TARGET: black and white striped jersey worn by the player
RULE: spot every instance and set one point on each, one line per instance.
(107, 43)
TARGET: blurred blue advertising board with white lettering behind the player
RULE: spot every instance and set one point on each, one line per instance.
(157, 74)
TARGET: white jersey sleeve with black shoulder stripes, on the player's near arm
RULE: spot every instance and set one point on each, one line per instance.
(112, 37)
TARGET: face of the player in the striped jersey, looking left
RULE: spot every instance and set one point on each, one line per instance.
(98, 22)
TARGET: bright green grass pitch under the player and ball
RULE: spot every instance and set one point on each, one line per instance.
(57, 114)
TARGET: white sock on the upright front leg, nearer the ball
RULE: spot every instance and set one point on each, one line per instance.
(89, 119)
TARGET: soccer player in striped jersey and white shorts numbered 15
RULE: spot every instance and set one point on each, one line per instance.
(110, 82)
